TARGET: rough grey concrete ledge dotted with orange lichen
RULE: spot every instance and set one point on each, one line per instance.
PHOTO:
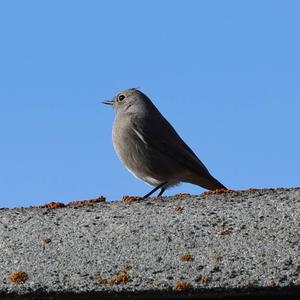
(240, 243)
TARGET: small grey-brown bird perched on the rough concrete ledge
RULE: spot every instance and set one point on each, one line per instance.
(151, 149)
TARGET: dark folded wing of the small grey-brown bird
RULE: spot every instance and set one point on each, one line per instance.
(162, 136)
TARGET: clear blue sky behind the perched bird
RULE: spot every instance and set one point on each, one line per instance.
(226, 74)
